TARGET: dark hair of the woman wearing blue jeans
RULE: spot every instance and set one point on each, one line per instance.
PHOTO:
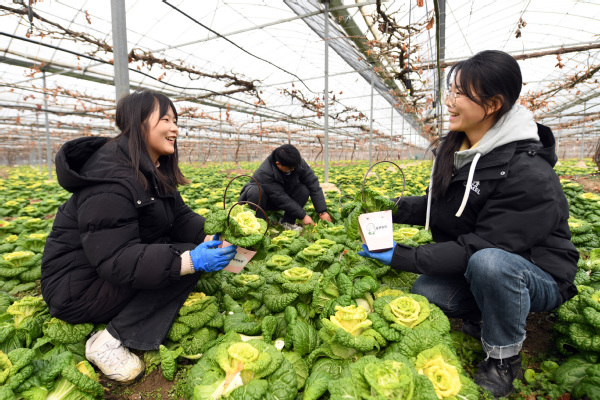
(489, 76)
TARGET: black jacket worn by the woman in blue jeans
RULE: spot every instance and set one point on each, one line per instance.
(516, 204)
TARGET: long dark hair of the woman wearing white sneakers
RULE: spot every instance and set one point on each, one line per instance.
(133, 113)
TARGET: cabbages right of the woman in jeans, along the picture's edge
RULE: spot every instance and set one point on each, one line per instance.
(577, 331)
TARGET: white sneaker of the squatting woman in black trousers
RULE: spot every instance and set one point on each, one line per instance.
(114, 360)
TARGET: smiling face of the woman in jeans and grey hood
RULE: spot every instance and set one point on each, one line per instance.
(467, 116)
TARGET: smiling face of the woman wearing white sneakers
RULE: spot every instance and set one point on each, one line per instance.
(161, 133)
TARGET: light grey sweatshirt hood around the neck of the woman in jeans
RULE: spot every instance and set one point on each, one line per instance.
(518, 124)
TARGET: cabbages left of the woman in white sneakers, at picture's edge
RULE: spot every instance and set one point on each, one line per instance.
(40, 357)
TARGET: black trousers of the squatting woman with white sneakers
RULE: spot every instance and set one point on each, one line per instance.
(140, 319)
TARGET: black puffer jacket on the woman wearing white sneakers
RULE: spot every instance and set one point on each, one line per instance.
(112, 234)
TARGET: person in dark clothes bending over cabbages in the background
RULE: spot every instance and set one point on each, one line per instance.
(286, 182)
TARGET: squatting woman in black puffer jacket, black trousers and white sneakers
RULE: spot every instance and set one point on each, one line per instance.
(124, 249)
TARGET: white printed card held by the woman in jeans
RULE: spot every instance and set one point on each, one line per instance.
(376, 230)
